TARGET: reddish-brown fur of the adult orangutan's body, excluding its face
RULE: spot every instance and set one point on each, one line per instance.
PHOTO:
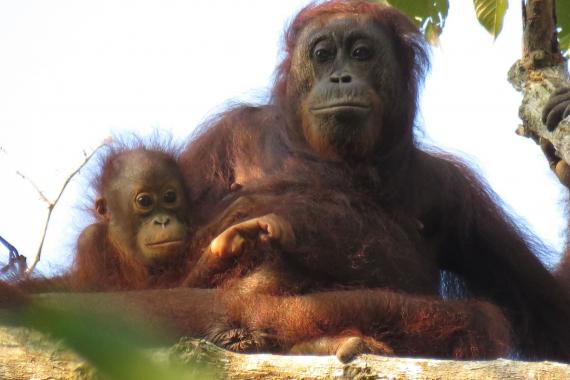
(392, 221)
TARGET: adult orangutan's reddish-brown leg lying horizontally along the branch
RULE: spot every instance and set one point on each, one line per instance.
(416, 326)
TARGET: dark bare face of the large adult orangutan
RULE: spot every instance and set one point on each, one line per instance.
(347, 74)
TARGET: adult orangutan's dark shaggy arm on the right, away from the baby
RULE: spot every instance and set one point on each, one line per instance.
(482, 239)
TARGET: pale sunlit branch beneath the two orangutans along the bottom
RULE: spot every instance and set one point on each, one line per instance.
(28, 355)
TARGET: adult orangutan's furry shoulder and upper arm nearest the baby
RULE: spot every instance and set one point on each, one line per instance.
(226, 152)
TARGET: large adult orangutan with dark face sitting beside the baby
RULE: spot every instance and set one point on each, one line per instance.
(377, 211)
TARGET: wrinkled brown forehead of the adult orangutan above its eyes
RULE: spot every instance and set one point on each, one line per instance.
(341, 27)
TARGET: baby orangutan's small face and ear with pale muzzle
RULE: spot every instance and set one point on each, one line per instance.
(145, 206)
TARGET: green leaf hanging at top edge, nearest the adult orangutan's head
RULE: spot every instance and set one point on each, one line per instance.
(428, 15)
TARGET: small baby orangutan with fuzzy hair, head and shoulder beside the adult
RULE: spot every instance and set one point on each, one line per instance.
(141, 236)
